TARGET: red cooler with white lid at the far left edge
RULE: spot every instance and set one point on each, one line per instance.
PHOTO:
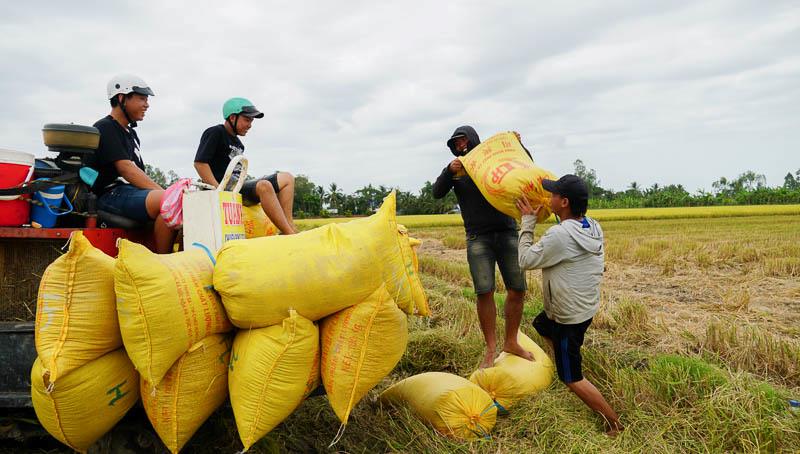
(15, 168)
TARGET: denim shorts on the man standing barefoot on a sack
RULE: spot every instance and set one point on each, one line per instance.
(486, 250)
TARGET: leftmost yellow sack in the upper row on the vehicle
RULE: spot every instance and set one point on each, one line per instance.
(76, 311)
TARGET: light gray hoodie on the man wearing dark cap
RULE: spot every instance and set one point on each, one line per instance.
(571, 257)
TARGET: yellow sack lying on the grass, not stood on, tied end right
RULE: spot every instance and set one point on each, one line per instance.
(453, 405)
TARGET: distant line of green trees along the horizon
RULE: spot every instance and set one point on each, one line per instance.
(749, 188)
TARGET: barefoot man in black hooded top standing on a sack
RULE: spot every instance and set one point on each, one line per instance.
(491, 239)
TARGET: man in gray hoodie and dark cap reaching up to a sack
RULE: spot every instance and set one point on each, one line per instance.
(571, 257)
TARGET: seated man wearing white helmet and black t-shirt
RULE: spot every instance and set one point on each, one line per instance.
(122, 186)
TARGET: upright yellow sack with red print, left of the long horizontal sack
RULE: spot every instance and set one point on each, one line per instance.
(166, 304)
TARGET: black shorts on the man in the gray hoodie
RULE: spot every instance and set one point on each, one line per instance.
(567, 342)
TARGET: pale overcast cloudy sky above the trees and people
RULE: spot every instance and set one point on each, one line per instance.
(368, 92)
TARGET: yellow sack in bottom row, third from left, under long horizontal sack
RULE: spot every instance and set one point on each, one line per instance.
(272, 370)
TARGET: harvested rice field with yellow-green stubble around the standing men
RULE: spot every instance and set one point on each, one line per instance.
(696, 345)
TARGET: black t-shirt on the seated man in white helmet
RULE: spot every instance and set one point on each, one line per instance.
(116, 144)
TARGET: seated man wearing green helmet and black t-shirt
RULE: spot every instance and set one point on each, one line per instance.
(221, 143)
